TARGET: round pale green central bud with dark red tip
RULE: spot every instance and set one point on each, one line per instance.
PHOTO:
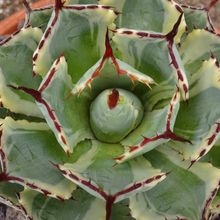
(114, 114)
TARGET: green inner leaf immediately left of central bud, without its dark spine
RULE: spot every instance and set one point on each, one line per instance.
(71, 112)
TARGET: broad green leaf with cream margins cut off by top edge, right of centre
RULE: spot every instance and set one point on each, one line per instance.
(158, 16)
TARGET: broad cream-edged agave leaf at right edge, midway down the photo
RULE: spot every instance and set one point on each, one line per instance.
(198, 120)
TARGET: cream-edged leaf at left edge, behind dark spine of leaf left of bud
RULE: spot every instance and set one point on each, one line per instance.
(16, 69)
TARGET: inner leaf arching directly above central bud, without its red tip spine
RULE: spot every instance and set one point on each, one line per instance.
(126, 77)
